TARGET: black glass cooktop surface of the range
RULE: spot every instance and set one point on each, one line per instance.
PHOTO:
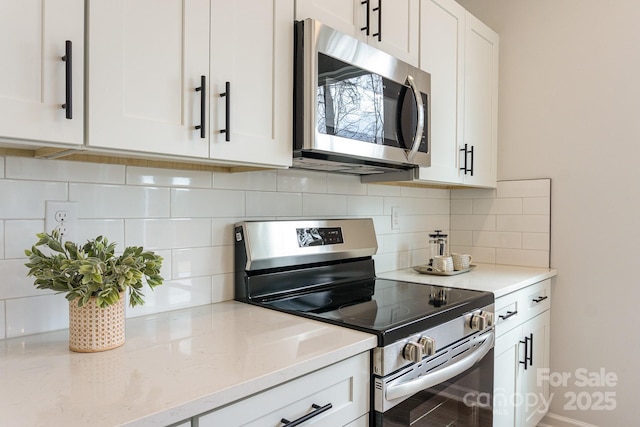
(388, 308)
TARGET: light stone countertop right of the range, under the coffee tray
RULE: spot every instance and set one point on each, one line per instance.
(496, 278)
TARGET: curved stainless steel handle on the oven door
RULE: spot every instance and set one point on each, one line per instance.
(437, 377)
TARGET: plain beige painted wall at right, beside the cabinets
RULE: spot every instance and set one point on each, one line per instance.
(570, 110)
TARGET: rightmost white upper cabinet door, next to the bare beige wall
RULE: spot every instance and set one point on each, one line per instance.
(481, 102)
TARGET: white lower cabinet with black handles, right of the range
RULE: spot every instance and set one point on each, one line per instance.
(521, 395)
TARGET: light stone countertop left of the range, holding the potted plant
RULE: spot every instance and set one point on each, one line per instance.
(174, 365)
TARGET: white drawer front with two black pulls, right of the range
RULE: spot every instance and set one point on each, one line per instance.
(517, 307)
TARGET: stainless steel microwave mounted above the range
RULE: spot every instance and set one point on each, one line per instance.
(357, 110)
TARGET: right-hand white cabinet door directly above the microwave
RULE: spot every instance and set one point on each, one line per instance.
(399, 27)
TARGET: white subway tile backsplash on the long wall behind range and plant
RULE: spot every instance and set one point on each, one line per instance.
(186, 217)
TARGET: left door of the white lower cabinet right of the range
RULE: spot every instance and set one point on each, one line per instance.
(506, 382)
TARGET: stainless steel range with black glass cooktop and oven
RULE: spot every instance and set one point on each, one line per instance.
(434, 361)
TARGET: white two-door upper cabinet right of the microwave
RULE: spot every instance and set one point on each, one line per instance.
(461, 54)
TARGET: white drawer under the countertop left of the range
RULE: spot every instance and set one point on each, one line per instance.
(344, 385)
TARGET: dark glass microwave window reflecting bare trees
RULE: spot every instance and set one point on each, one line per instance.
(357, 104)
